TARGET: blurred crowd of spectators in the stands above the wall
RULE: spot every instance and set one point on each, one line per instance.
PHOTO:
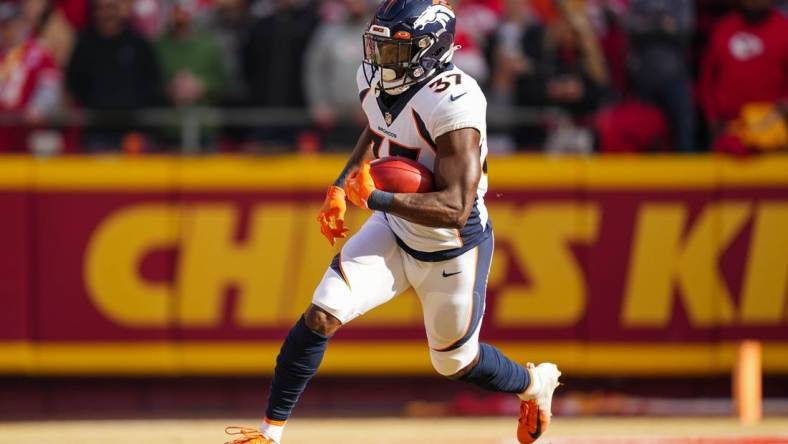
(615, 75)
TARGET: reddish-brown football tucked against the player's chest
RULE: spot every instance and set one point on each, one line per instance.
(401, 175)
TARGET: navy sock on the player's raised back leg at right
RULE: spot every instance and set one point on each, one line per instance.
(497, 373)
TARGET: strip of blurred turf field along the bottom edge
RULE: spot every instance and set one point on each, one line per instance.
(400, 430)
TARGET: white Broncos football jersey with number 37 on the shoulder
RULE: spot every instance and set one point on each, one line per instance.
(449, 101)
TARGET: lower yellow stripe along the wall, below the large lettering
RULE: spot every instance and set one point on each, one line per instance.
(370, 358)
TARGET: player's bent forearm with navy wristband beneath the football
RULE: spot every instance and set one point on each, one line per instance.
(441, 209)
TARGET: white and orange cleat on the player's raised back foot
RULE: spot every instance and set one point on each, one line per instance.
(536, 402)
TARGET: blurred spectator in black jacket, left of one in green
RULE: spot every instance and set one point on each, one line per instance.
(113, 68)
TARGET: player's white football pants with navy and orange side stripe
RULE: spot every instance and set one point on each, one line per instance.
(372, 269)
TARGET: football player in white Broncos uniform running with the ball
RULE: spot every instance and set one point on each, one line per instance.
(440, 243)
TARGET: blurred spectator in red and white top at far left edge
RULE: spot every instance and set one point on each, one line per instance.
(30, 83)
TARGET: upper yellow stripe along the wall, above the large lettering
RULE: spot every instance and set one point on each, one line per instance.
(296, 172)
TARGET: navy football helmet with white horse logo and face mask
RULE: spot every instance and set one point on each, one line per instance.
(407, 42)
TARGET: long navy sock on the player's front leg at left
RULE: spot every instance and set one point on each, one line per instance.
(298, 360)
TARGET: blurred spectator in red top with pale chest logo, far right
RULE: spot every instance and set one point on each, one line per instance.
(746, 64)
